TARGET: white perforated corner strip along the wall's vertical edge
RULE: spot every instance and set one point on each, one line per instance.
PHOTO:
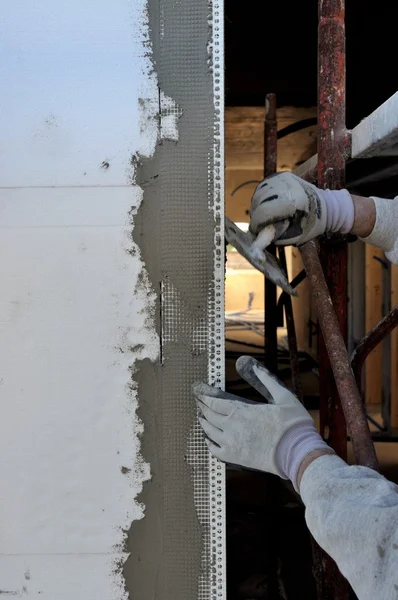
(209, 474)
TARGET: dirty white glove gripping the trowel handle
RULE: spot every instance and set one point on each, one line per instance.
(305, 210)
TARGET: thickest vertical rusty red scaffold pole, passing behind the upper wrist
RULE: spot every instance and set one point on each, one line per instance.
(331, 174)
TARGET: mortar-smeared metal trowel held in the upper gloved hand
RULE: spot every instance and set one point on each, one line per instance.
(253, 247)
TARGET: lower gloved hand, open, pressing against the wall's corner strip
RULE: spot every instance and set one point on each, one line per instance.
(274, 437)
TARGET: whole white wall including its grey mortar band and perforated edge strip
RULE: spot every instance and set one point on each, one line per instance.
(80, 317)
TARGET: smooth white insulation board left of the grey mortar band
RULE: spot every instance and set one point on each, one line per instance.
(79, 315)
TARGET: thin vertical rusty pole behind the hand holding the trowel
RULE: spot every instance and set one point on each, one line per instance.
(270, 153)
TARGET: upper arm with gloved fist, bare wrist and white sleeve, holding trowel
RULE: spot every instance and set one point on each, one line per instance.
(305, 212)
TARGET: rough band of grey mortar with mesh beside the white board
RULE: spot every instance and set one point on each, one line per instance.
(174, 229)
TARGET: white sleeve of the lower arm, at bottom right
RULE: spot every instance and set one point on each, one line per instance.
(352, 512)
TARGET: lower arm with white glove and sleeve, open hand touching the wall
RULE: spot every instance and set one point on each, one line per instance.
(352, 512)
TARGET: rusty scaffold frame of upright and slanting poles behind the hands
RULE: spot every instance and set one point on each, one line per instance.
(342, 410)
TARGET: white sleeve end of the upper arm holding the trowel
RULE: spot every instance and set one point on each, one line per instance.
(385, 231)
